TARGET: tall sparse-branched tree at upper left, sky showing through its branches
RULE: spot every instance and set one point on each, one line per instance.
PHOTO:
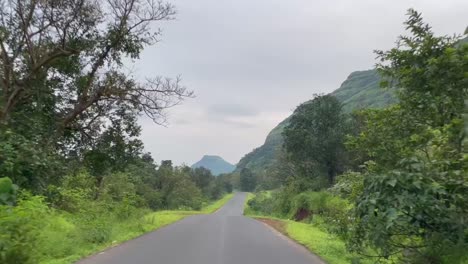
(63, 89)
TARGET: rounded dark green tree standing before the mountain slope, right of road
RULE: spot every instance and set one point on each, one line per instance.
(314, 137)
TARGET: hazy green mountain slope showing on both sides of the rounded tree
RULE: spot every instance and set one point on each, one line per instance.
(360, 90)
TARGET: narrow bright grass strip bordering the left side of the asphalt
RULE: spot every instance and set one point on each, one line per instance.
(121, 232)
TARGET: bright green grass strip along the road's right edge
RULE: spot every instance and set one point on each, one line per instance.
(325, 245)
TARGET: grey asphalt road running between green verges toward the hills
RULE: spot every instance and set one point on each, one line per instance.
(224, 237)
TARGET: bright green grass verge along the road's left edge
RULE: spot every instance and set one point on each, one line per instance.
(62, 238)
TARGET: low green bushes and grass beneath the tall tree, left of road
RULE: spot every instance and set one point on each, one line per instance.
(81, 213)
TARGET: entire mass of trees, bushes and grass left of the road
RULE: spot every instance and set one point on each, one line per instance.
(74, 176)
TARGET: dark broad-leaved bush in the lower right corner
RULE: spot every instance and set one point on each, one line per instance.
(421, 209)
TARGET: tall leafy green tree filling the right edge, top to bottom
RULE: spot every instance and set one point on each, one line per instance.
(413, 203)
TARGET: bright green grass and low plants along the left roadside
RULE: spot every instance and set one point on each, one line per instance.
(31, 232)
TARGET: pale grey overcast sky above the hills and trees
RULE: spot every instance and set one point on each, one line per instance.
(251, 62)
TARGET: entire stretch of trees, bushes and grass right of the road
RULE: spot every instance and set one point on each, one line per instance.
(392, 183)
